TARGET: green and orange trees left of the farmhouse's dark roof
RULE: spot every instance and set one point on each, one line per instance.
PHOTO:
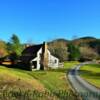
(12, 48)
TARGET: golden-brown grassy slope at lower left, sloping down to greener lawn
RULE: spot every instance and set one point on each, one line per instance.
(19, 79)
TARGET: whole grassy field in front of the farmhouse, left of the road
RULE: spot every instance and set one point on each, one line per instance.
(53, 81)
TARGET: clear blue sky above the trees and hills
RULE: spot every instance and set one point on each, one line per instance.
(44, 20)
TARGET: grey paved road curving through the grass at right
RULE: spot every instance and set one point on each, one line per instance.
(83, 88)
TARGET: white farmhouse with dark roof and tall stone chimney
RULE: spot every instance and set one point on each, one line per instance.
(39, 57)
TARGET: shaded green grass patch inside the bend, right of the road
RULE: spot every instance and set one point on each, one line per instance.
(91, 73)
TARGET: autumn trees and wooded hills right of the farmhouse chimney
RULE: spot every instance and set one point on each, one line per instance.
(82, 49)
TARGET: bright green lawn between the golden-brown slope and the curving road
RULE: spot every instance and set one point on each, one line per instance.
(54, 79)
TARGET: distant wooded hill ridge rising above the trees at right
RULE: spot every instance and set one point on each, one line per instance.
(91, 42)
